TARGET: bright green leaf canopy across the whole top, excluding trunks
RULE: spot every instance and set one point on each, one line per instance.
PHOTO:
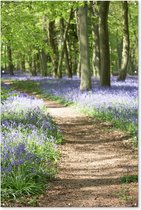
(25, 26)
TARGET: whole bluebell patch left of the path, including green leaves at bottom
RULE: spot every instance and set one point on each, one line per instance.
(29, 144)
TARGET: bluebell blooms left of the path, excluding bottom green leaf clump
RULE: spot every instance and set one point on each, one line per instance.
(28, 135)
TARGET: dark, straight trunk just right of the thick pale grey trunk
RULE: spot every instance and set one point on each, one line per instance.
(104, 44)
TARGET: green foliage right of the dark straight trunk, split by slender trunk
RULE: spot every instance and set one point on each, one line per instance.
(116, 32)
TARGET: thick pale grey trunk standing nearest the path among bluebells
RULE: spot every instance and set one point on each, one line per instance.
(85, 83)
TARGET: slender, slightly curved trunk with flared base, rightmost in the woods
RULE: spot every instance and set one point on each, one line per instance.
(125, 50)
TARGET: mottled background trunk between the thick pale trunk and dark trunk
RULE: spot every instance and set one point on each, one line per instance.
(96, 45)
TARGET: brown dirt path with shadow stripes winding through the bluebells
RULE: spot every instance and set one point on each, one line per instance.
(94, 157)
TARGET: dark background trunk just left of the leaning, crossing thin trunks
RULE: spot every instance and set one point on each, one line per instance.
(54, 46)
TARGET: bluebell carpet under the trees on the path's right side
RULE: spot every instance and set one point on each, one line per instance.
(120, 101)
